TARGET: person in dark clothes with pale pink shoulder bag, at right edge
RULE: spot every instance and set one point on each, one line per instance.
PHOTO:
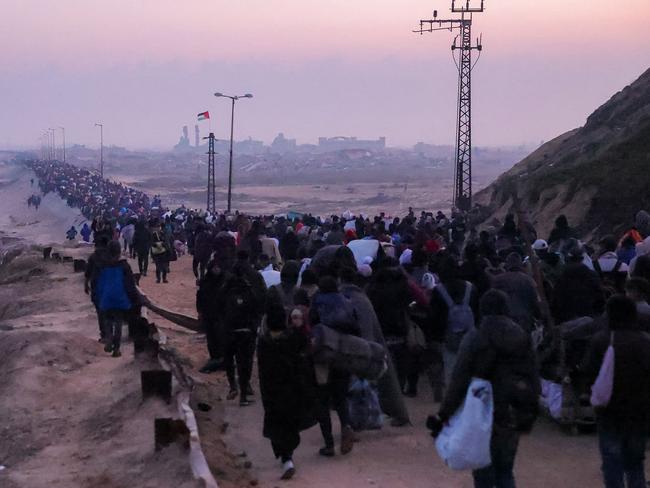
(619, 361)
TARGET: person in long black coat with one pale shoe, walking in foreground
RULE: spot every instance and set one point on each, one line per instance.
(287, 383)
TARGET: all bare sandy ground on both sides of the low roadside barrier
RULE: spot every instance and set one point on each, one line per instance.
(72, 417)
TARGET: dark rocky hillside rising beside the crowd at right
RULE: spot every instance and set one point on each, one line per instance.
(597, 175)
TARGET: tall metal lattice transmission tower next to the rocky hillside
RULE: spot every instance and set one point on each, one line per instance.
(463, 44)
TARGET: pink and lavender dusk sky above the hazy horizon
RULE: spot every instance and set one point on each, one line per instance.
(145, 68)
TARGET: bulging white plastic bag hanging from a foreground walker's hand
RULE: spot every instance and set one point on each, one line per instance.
(465, 442)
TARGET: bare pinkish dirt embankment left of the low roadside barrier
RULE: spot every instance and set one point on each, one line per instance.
(72, 416)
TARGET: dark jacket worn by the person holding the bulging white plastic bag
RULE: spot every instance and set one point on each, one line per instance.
(497, 350)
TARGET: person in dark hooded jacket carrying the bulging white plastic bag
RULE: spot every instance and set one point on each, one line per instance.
(500, 352)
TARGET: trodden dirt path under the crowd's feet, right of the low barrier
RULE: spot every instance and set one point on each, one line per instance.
(390, 458)
